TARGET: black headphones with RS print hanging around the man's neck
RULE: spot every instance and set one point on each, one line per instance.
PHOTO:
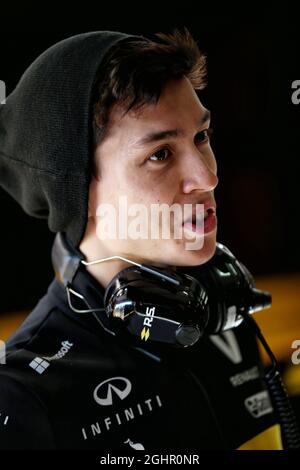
(178, 307)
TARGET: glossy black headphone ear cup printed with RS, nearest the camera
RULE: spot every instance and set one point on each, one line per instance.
(148, 307)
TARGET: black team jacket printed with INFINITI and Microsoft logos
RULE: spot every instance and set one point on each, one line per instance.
(187, 399)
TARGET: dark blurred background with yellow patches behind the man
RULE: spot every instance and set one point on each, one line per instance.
(253, 58)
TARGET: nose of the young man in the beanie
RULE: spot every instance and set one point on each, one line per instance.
(200, 173)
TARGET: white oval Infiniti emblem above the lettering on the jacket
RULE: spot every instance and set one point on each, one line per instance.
(103, 393)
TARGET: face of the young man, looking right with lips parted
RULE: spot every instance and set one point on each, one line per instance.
(177, 167)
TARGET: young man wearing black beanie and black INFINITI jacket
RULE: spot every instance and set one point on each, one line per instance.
(98, 117)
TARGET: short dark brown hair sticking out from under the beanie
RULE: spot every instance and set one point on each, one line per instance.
(137, 69)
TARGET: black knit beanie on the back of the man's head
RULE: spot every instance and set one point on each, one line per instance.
(46, 132)
